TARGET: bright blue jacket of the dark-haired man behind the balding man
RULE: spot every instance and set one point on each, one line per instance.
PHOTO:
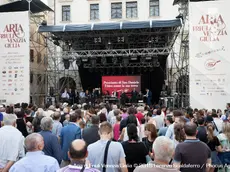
(68, 134)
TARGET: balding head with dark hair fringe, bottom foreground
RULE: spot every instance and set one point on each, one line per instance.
(78, 150)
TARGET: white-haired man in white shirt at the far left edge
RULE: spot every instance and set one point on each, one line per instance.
(11, 143)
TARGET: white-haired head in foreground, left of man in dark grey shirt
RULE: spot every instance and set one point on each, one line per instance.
(163, 149)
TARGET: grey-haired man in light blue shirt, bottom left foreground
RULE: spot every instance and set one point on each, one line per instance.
(35, 160)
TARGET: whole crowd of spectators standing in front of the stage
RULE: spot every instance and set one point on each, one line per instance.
(108, 138)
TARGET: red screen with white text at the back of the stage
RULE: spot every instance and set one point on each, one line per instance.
(119, 83)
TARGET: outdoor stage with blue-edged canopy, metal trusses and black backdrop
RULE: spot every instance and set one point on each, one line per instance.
(118, 48)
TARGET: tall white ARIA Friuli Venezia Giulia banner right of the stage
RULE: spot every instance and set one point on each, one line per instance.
(209, 39)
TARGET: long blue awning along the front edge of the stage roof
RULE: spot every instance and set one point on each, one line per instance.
(111, 26)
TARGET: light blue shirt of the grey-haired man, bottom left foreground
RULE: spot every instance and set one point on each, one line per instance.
(35, 162)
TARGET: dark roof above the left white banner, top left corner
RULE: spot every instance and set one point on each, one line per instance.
(36, 6)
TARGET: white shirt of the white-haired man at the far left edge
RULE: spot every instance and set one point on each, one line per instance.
(11, 145)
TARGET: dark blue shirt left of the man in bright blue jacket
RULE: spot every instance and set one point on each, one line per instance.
(52, 146)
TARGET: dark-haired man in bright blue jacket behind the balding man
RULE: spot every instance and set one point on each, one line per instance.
(68, 134)
